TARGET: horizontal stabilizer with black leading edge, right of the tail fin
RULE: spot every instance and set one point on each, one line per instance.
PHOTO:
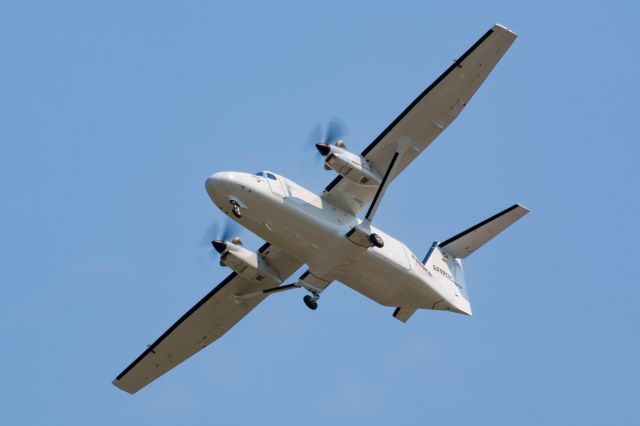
(466, 242)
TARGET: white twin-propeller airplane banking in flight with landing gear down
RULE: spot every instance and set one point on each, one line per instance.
(324, 232)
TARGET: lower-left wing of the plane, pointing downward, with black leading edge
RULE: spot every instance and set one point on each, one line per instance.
(204, 323)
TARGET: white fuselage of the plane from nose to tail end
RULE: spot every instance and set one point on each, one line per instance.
(313, 231)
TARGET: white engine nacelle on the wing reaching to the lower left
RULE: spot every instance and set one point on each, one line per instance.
(248, 264)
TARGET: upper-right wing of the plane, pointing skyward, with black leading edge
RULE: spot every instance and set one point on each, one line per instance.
(425, 118)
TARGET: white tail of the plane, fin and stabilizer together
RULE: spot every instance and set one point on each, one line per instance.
(444, 260)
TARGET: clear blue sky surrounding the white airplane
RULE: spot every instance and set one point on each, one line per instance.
(113, 114)
